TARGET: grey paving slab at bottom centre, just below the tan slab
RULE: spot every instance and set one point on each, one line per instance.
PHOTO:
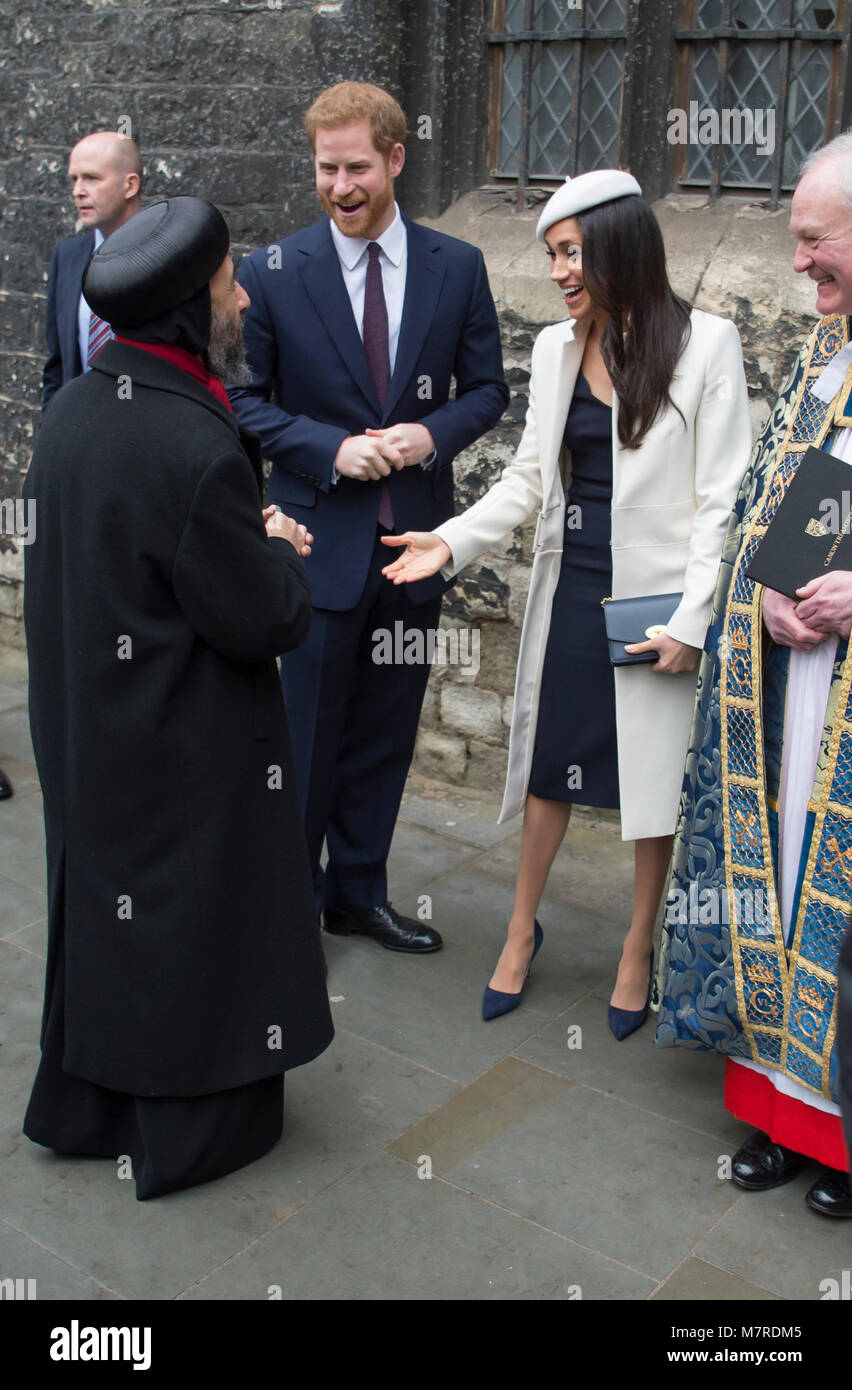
(383, 1234)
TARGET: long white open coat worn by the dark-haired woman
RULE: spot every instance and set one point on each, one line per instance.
(672, 500)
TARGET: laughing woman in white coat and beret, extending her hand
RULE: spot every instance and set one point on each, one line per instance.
(636, 441)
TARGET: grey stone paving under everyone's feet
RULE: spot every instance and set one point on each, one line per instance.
(558, 1171)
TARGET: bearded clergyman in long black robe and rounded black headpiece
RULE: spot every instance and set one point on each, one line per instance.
(184, 961)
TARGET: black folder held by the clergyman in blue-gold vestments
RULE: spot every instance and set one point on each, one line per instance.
(811, 530)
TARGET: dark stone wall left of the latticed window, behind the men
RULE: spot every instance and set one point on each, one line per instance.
(216, 97)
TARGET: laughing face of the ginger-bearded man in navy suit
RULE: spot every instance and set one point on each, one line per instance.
(355, 181)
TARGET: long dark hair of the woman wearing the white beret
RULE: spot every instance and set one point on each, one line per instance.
(625, 272)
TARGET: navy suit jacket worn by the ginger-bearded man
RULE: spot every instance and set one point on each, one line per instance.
(312, 389)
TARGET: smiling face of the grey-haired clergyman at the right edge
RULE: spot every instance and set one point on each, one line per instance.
(822, 224)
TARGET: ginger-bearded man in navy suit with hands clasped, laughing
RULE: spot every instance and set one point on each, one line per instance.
(358, 327)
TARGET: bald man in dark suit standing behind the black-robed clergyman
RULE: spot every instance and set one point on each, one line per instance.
(106, 184)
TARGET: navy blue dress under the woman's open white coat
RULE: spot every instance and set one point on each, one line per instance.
(575, 755)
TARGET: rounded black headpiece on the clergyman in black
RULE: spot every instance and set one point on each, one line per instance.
(149, 280)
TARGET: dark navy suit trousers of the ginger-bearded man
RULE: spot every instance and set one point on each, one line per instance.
(354, 722)
